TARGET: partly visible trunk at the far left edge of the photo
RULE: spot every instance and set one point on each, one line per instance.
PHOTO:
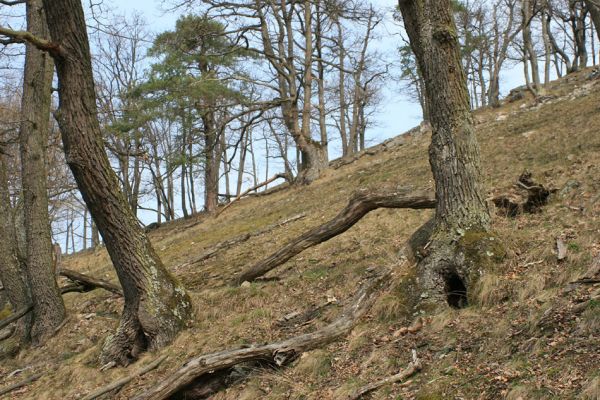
(10, 270)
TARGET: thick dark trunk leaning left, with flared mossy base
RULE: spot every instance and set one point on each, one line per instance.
(157, 307)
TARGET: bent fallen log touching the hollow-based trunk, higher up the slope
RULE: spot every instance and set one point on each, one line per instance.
(361, 203)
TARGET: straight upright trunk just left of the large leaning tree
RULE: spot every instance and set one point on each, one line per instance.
(48, 307)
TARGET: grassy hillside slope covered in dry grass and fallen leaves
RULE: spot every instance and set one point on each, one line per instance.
(522, 337)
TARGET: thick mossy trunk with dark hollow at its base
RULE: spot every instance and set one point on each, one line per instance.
(462, 218)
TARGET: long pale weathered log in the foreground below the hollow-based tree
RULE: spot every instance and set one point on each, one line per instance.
(200, 369)
